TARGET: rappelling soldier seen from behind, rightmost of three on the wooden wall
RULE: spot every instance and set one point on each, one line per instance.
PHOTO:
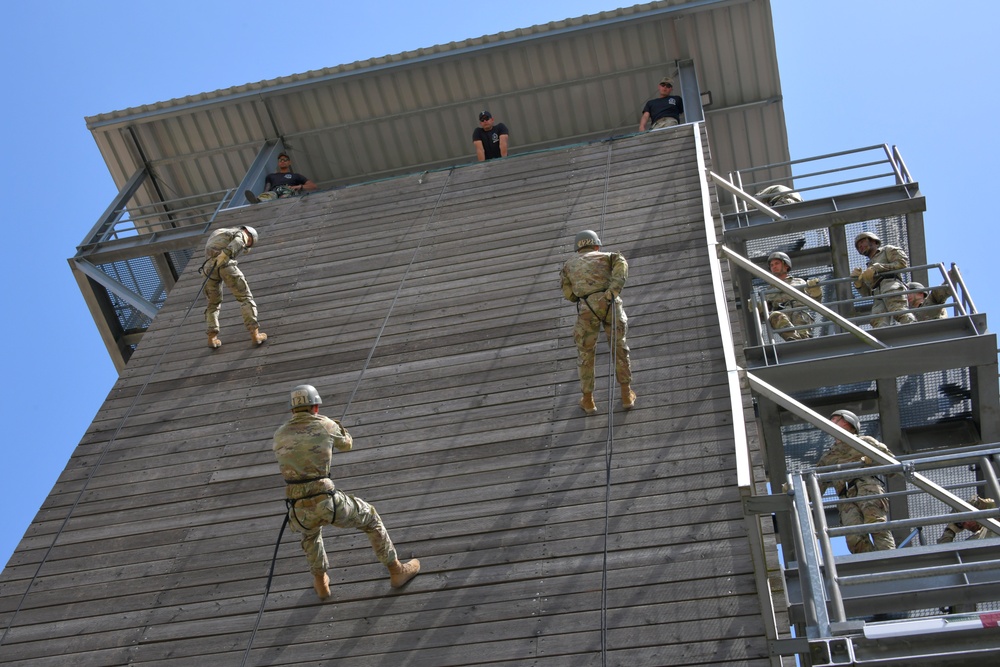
(594, 280)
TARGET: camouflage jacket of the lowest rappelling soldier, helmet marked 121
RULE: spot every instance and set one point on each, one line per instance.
(304, 448)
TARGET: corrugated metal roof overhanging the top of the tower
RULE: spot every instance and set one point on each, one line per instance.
(563, 82)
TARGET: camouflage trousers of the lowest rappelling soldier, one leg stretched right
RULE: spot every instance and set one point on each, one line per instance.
(342, 510)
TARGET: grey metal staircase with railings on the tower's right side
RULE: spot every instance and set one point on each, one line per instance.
(928, 390)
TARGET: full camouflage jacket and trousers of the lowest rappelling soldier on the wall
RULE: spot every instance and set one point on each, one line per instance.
(304, 448)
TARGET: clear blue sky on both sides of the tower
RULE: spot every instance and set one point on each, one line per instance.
(853, 73)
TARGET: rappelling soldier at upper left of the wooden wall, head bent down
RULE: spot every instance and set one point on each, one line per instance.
(221, 251)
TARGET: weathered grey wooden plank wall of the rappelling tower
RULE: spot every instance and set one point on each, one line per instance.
(428, 307)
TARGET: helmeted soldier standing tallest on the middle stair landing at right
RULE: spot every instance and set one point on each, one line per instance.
(873, 281)
